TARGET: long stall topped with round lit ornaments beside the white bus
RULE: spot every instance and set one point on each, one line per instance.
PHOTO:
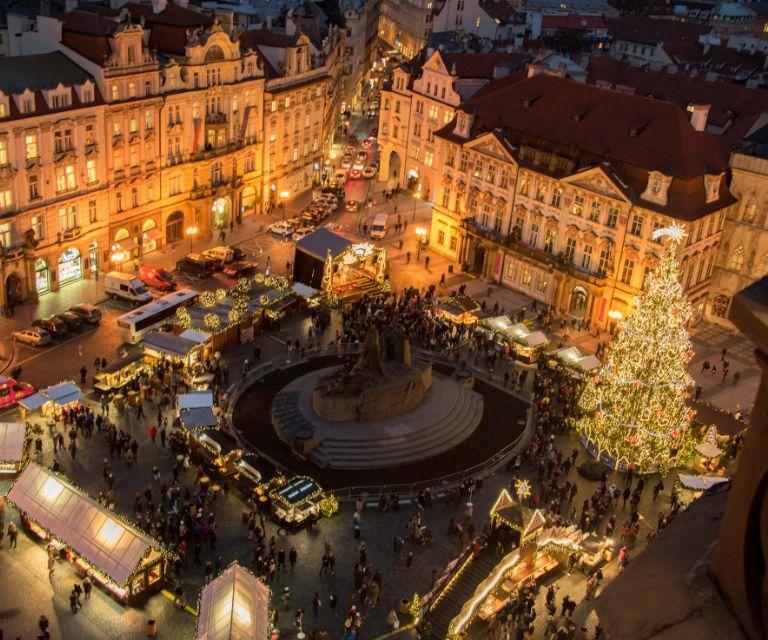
(231, 316)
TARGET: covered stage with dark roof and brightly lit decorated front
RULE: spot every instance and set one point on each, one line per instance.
(339, 267)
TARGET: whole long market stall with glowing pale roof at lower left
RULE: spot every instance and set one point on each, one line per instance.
(118, 556)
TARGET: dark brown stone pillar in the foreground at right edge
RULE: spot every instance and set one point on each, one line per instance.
(741, 555)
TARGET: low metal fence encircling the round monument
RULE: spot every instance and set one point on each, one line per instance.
(437, 486)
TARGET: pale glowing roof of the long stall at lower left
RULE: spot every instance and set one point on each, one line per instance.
(94, 532)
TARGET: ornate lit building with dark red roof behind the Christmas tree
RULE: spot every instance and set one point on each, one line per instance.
(555, 188)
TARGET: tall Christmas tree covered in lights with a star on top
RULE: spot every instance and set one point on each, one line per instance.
(634, 409)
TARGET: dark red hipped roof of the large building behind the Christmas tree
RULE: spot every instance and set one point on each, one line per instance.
(594, 126)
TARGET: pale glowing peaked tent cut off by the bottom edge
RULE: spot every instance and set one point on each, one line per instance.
(234, 606)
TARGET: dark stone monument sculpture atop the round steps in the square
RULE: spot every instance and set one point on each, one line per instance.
(382, 383)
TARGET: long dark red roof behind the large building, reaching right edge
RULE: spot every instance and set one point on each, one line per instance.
(728, 101)
